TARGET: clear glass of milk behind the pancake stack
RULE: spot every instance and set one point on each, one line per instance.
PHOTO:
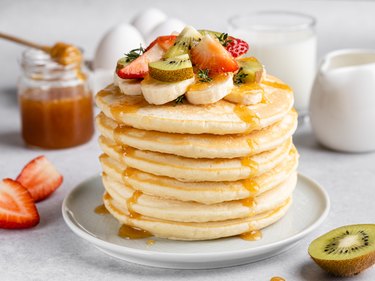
(285, 42)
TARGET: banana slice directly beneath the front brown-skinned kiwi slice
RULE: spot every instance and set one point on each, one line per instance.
(157, 92)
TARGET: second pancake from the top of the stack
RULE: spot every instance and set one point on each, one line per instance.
(203, 145)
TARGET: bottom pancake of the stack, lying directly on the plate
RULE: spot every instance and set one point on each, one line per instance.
(195, 231)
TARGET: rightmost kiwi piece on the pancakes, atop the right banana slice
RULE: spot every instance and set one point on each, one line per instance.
(251, 70)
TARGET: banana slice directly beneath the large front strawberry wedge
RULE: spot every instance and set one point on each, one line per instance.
(210, 92)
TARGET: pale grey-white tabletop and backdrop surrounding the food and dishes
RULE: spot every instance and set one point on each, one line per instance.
(51, 251)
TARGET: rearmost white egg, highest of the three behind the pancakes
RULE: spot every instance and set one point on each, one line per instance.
(146, 20)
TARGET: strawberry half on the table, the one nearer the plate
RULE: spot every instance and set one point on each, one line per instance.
(40, 178)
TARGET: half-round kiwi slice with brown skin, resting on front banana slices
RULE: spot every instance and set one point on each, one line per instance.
(172, 70)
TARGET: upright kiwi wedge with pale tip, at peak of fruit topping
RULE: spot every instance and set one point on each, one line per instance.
(184, 41)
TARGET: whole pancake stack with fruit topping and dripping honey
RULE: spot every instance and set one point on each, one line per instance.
(196, 139)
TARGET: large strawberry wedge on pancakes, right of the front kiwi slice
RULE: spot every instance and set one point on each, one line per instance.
(210, 54)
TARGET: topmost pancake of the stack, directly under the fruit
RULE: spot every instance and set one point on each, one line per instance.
(219, 118)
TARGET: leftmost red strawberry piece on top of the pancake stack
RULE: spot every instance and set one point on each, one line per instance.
(139, 67)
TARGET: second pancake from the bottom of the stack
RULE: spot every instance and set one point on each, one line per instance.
(179, 211)
